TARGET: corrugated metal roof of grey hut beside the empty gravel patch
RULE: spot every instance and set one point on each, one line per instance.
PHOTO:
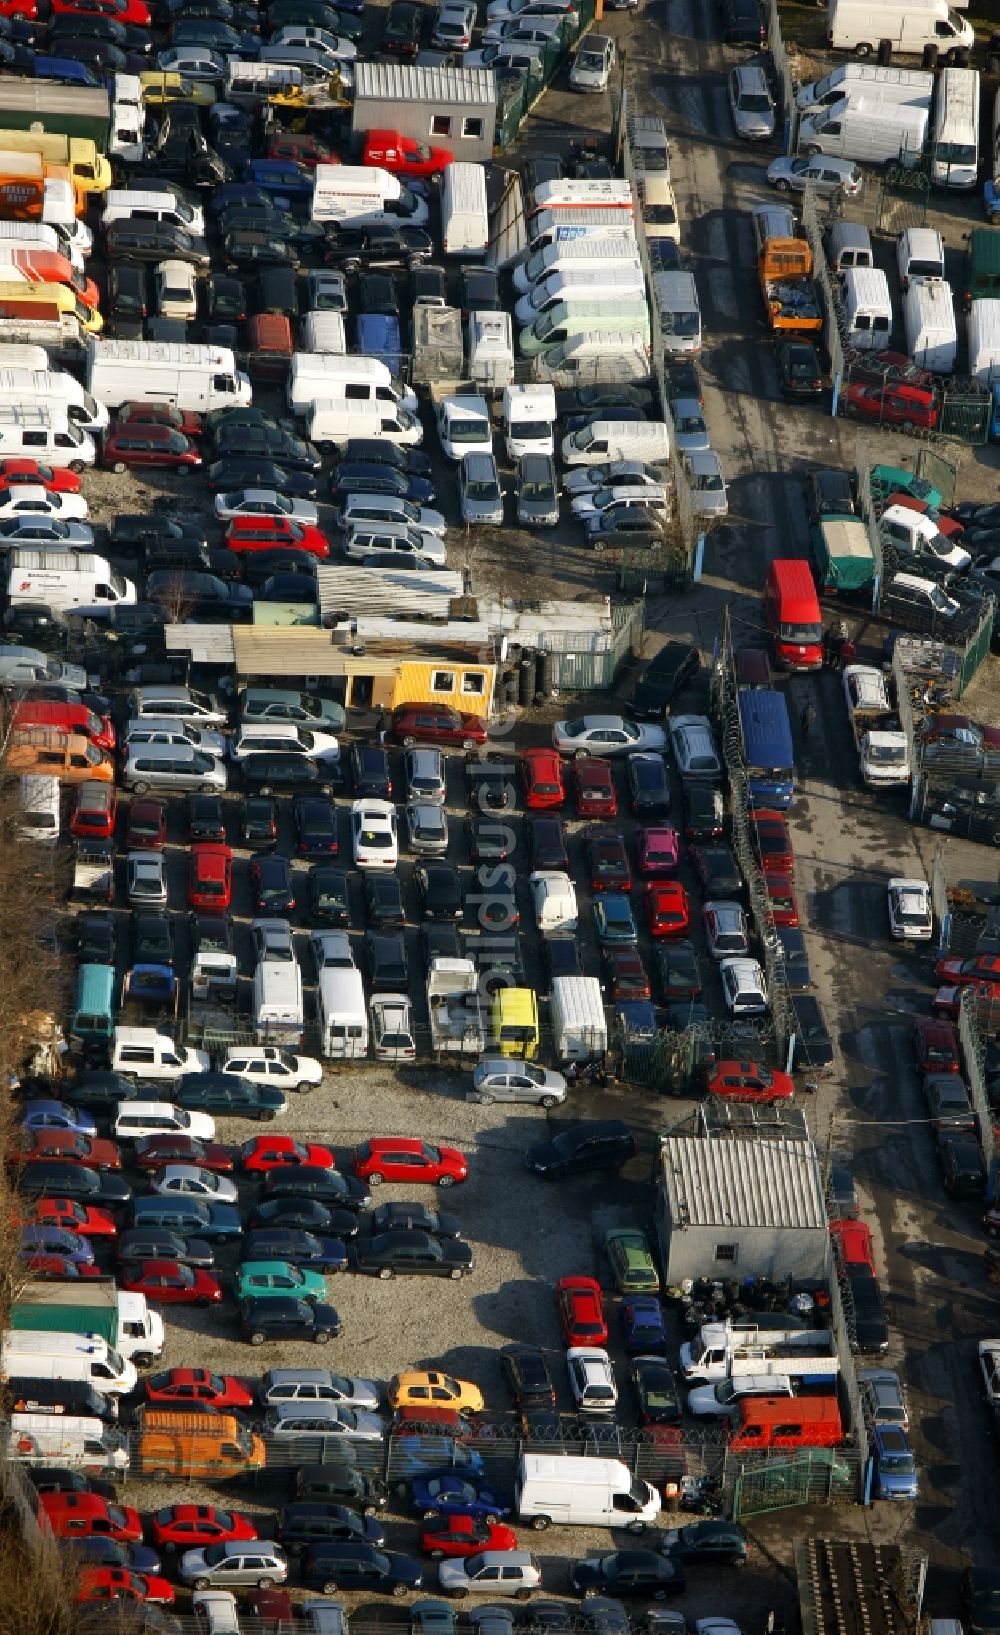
(744, 1183)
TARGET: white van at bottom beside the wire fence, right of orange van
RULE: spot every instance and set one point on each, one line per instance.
(568, 1490)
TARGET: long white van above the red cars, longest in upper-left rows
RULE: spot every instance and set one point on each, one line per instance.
(187, 377)
